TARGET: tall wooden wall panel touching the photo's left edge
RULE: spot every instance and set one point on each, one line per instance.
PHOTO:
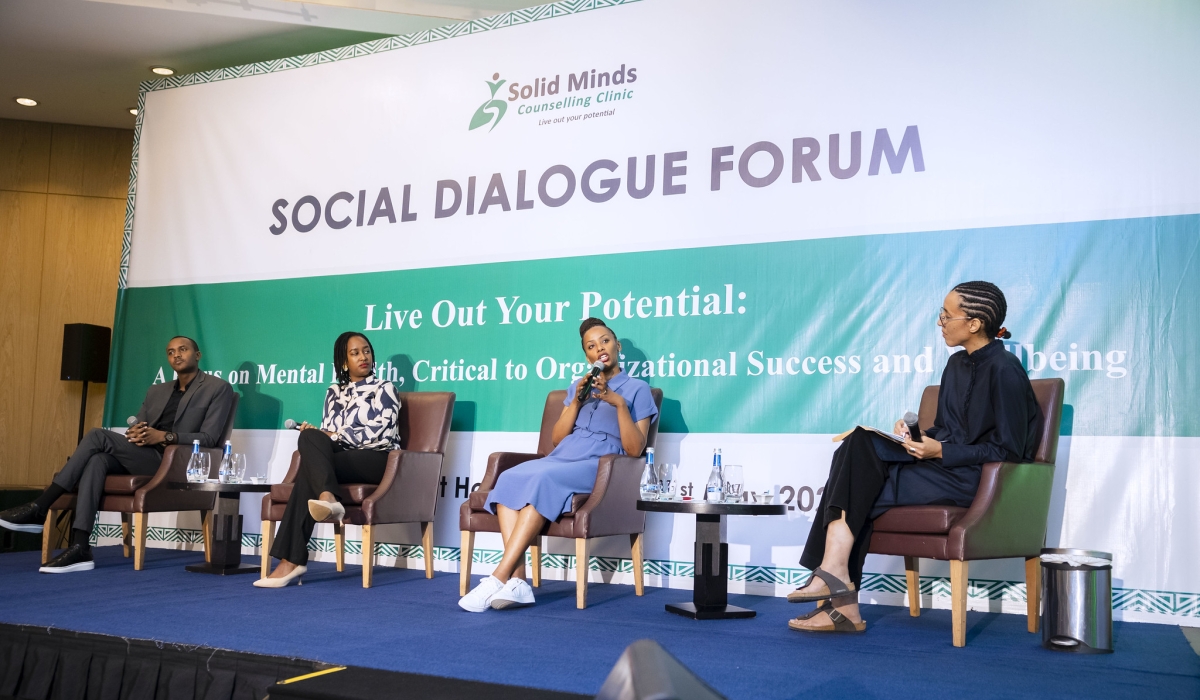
(22, 230)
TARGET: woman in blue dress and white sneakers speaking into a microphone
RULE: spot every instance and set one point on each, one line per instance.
(611, 416)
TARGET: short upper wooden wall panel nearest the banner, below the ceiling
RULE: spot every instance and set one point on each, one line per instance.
(91, 161)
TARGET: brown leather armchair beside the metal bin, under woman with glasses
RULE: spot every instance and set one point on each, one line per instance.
(1006, 520)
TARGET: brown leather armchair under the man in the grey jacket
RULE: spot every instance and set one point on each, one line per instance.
(141, 495)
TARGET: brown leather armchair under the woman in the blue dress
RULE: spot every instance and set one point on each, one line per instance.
(611, 508)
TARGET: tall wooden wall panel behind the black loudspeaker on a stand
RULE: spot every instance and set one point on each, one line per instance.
(80, 274)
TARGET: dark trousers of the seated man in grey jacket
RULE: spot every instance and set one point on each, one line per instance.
(103, 453)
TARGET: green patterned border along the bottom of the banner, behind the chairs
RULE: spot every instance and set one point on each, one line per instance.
(1127, 600)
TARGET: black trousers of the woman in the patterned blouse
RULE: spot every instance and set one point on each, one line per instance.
(325, 464)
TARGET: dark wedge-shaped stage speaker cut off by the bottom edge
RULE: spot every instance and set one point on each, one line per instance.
(647, 672)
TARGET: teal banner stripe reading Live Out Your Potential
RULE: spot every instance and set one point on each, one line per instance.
(808, 337)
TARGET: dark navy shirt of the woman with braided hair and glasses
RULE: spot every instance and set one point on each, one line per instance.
(987, 411)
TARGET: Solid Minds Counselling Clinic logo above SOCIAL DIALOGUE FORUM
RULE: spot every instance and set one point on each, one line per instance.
(542, 94)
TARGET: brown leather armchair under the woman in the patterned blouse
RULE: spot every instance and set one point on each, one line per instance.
(409, 492)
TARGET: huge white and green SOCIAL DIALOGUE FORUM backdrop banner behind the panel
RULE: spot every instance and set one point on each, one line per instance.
(766, 201)
